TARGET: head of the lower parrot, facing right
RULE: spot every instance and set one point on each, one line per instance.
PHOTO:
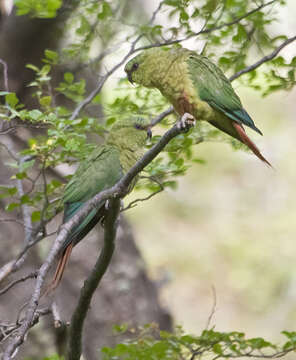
(130, 132)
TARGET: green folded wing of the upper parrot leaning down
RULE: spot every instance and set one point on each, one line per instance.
(214, 88)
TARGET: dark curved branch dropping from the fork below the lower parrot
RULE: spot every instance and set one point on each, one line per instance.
(92, 282)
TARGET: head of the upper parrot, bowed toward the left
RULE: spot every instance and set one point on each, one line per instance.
(145, 68)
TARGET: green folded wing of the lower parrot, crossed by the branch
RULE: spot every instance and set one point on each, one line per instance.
(100, 171)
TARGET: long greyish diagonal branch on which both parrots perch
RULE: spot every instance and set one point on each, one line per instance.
(117, 191)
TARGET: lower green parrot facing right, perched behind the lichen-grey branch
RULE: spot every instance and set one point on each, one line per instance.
(101, 170)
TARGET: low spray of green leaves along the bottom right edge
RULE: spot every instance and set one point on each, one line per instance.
(150, 343)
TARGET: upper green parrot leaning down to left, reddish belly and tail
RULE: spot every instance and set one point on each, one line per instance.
(195, 86)
